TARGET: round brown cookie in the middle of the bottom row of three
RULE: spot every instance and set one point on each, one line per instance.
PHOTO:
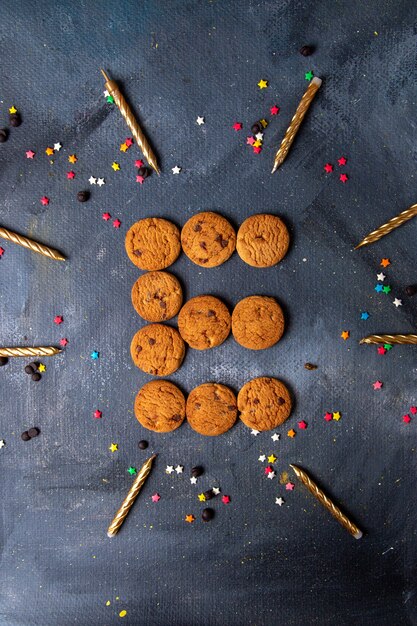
(211, 409)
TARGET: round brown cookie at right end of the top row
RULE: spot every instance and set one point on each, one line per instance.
(262, 240)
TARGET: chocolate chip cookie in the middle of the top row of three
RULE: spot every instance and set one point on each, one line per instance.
(208, 239)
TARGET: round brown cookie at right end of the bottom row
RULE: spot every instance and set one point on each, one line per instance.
(264, 403)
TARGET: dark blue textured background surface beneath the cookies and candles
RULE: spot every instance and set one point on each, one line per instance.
(256, 563)
